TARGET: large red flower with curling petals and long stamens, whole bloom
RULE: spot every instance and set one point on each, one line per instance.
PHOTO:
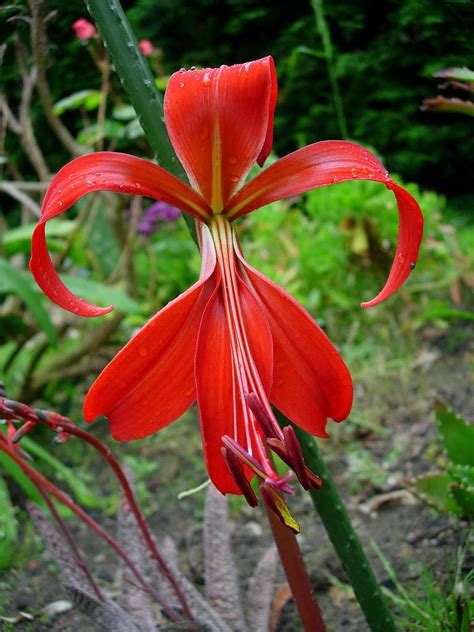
(234, 341)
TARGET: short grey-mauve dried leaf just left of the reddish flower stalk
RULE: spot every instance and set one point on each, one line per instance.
(260, 592)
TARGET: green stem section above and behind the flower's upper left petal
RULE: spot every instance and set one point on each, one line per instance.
(139, 83)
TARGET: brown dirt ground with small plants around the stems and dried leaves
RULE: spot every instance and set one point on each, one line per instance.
(410, 535)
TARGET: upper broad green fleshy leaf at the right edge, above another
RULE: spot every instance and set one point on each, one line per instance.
(457, 435)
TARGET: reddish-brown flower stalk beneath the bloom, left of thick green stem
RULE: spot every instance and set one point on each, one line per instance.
(295, 570)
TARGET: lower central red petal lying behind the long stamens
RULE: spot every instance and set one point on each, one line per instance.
(221, 402)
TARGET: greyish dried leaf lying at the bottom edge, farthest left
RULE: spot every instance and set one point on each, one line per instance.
(105, 613)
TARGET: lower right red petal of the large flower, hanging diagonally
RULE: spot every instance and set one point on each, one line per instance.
(310, 380)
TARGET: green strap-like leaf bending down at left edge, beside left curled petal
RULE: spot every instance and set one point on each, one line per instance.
(15, 282)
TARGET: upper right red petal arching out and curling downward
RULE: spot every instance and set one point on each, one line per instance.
(330, 162)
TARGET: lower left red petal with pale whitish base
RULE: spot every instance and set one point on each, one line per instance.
(150, 382)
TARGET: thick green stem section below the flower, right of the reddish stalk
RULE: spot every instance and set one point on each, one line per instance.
(345, 540)
